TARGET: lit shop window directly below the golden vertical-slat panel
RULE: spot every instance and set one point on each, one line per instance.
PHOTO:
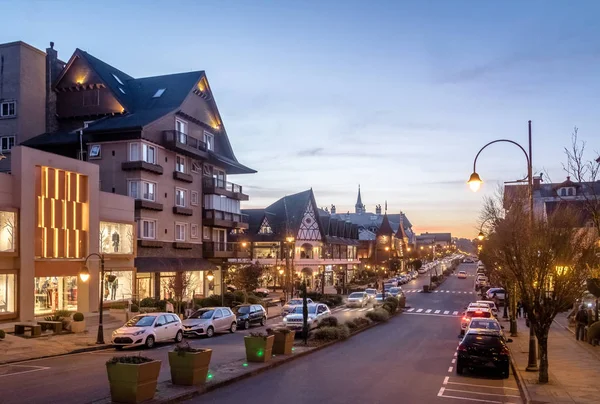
(55, 293)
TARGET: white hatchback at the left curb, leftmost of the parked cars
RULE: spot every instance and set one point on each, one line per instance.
(147, 329)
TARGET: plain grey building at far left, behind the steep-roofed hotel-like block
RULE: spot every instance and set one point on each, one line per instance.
(24, 94)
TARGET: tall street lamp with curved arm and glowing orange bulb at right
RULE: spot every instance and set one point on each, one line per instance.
(475, 183)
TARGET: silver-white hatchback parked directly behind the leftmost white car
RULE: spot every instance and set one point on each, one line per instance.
(209, 320)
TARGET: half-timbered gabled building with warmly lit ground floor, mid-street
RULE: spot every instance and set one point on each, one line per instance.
(312, 244)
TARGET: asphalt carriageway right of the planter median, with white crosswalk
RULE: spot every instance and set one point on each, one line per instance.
(410, 359)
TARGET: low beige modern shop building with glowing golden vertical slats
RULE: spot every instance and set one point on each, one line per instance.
(53, 216)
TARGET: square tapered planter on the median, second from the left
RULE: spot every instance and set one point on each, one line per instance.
(189, 366)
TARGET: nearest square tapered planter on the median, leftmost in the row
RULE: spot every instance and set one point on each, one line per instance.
(132, 379)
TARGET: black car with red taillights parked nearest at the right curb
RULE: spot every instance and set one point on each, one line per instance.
(483, 349)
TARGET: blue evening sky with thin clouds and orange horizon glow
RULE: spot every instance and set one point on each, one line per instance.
(397, 96)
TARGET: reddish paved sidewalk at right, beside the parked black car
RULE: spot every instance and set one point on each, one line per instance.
(574, 368)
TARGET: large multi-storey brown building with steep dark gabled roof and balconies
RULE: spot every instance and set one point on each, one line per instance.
(161, 141)
